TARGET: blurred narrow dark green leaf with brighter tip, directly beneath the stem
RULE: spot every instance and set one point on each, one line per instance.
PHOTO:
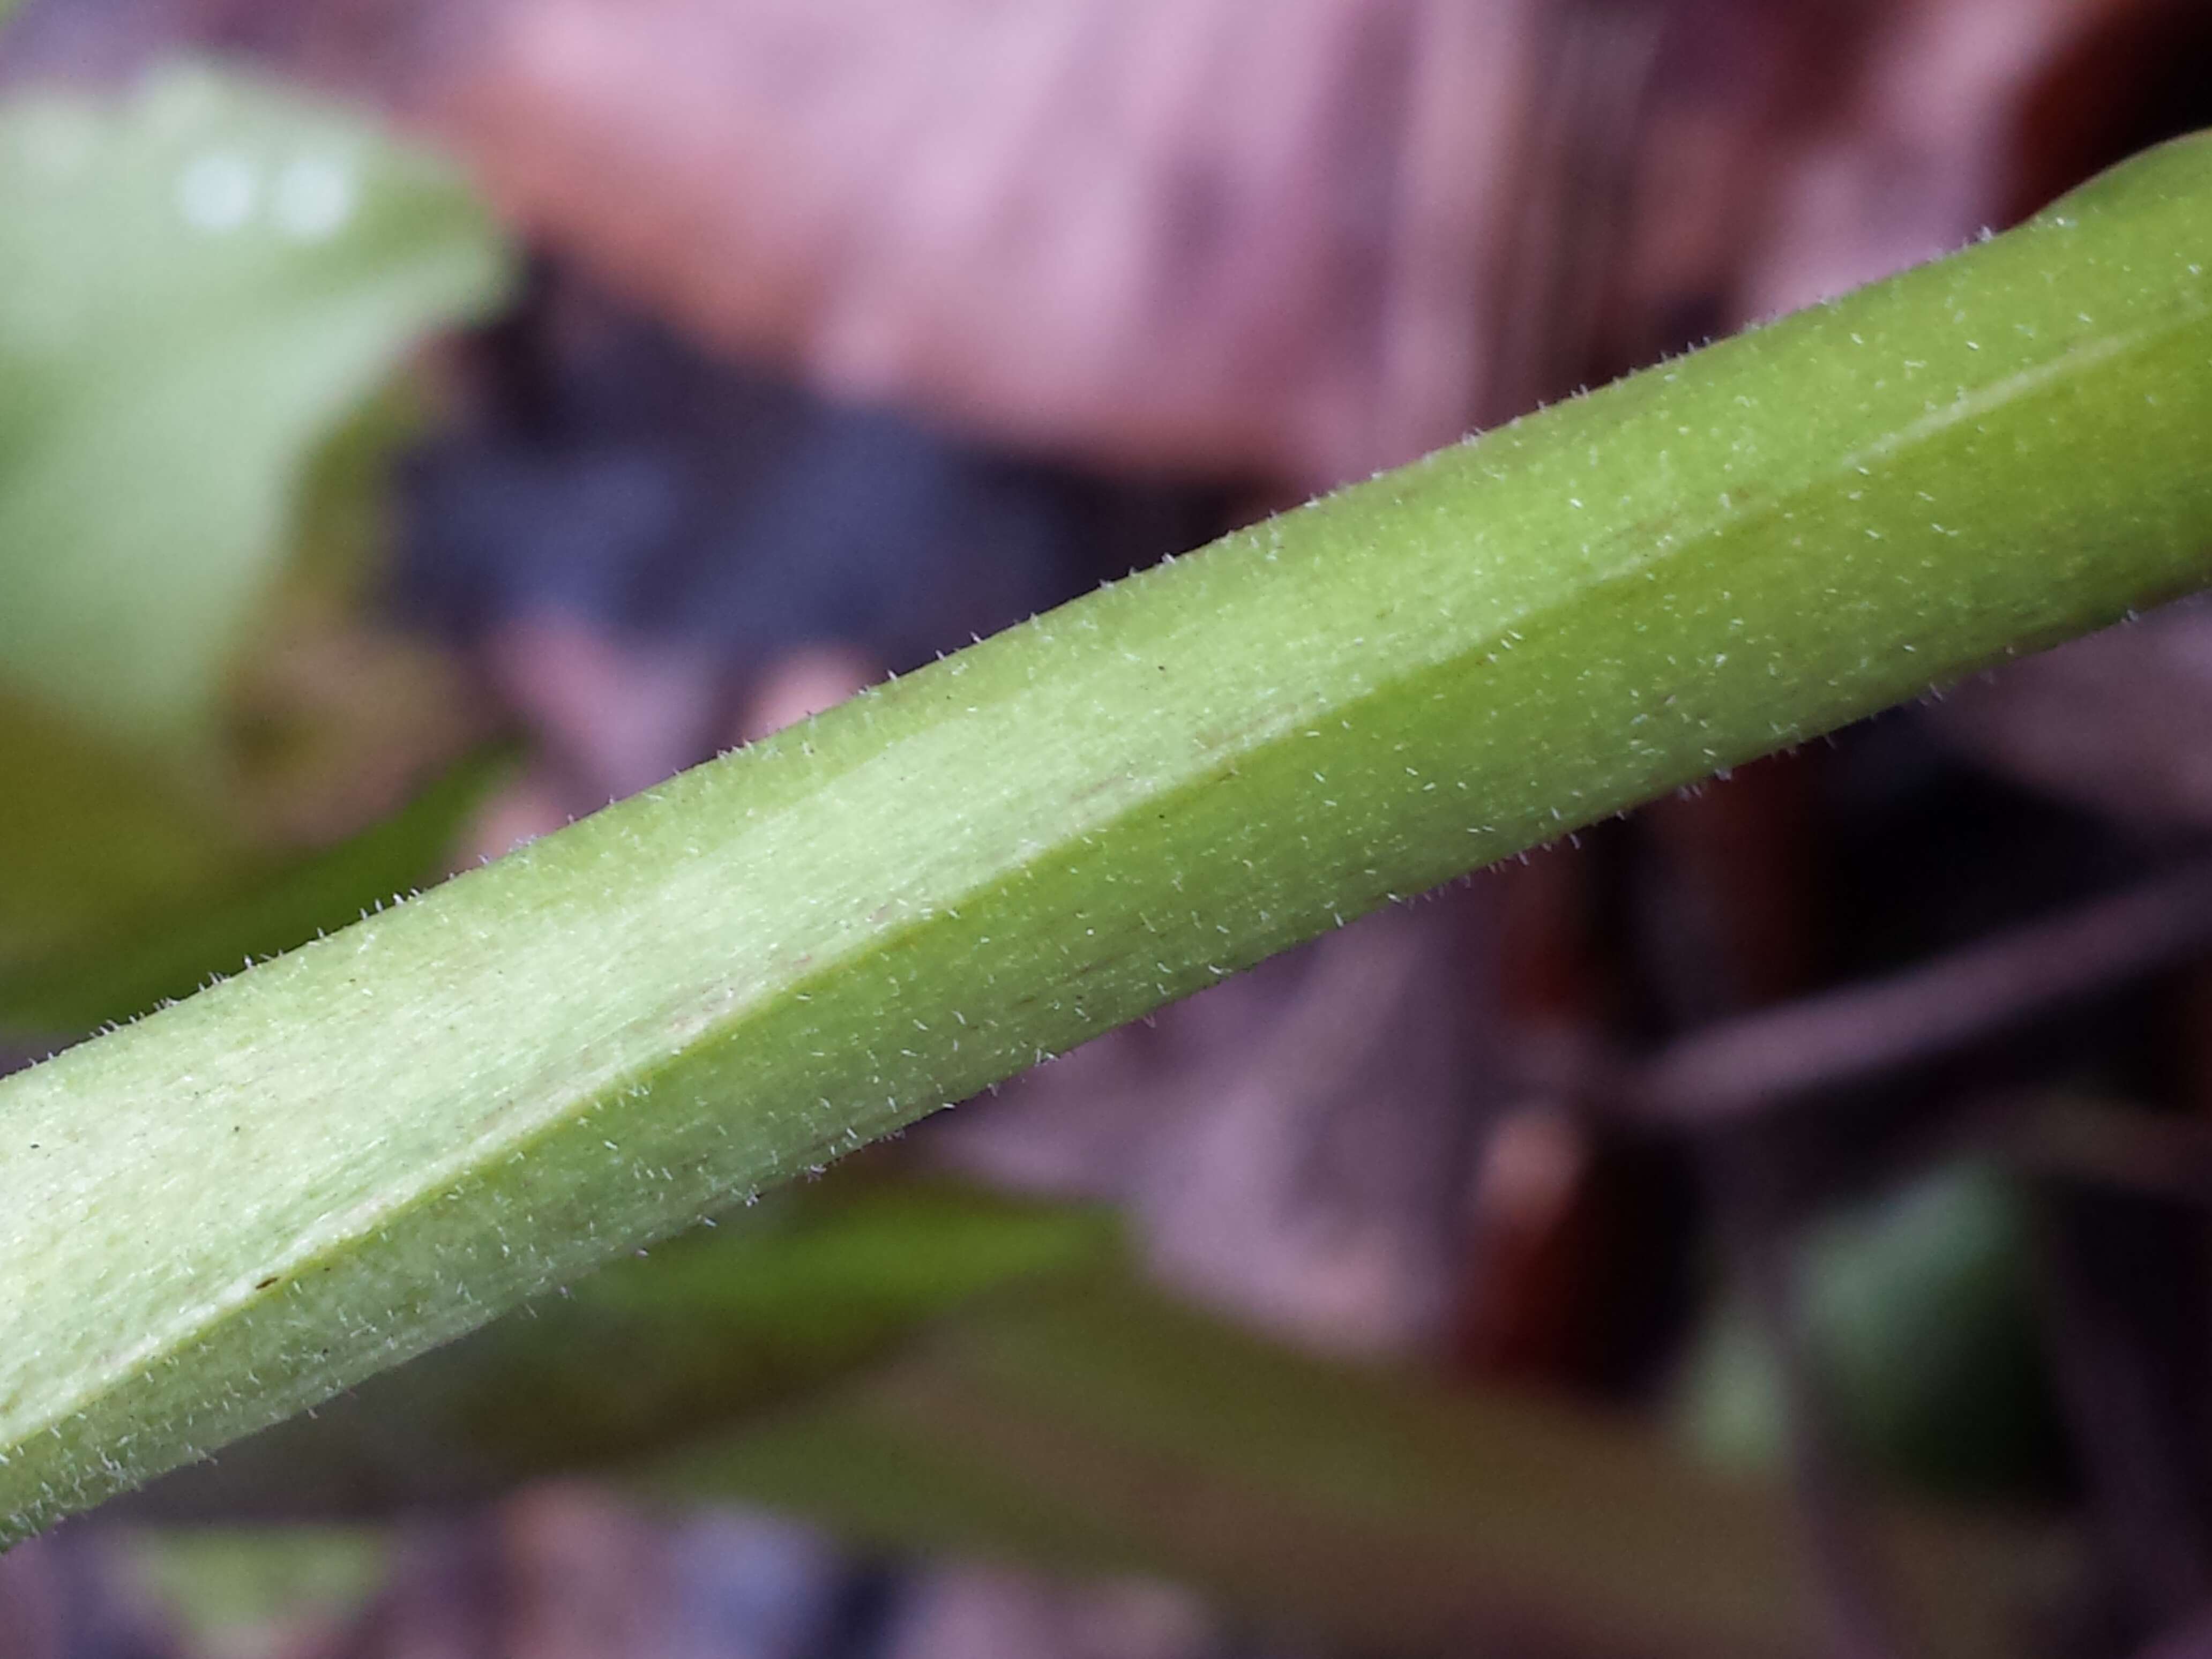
(778, 1300)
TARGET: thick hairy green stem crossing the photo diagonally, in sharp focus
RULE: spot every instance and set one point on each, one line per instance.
(280, 1187)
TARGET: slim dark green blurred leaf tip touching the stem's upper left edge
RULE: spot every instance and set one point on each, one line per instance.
(176, 948)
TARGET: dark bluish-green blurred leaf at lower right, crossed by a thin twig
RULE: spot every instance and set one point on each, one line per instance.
(1921, 1326)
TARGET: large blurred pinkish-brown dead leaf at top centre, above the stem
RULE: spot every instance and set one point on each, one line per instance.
(1233, 238)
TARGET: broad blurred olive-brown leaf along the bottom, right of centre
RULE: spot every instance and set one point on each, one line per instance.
(1103, 1428)
